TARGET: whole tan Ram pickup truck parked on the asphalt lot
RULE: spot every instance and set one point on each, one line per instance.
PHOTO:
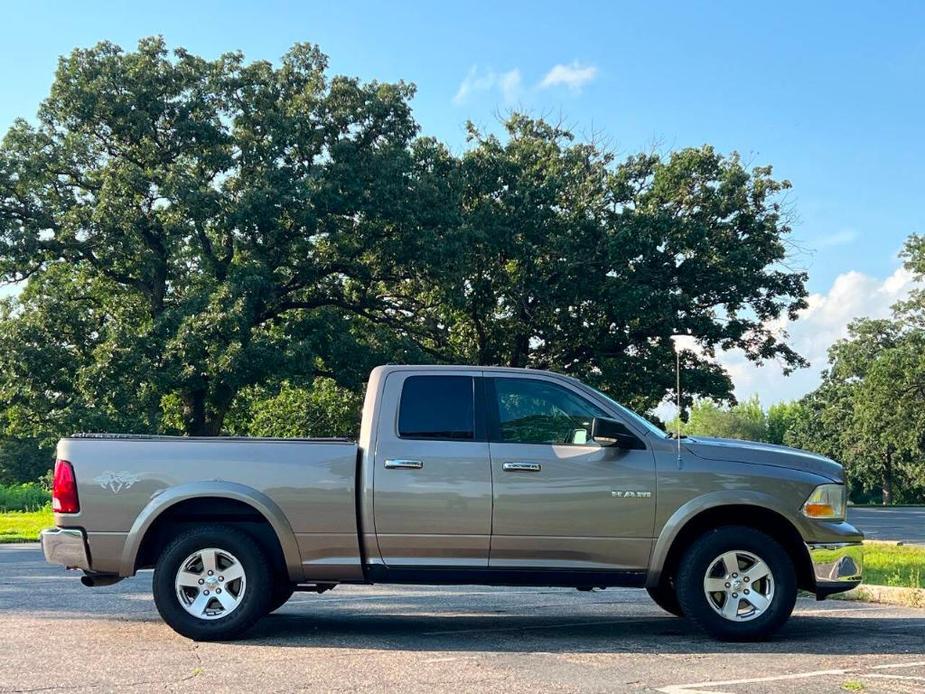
(461, 475)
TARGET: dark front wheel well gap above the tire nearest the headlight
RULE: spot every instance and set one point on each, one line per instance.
(759, 518)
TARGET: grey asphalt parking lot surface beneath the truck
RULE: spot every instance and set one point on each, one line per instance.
(58, 636)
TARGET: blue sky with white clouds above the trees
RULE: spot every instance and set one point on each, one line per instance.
(831, 94)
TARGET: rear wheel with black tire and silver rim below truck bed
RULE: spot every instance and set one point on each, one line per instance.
(220, 608)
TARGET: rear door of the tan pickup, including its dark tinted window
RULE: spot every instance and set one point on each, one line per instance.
(432, 479)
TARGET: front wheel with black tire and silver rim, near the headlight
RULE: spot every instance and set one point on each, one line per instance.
(726, 556)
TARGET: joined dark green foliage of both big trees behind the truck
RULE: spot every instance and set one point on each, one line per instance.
(195, 235)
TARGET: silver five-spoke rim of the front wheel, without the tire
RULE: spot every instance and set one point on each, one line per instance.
(739, 585)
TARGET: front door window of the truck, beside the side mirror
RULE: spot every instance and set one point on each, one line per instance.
(535, 411)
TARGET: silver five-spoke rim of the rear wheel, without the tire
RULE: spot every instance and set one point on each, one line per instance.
(210, 583)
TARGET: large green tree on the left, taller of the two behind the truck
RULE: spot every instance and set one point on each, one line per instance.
(191, 228)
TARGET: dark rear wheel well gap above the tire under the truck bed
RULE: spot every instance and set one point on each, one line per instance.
(201, 510)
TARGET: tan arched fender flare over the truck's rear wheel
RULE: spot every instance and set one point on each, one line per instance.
(257, 500)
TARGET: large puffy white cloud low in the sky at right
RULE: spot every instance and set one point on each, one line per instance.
(852, 295)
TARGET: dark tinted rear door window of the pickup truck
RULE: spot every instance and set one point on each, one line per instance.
(437, 407)
